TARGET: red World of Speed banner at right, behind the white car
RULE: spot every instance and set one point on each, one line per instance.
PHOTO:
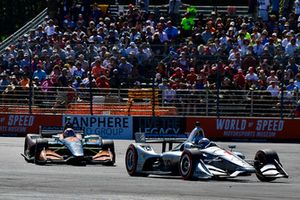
(256, 129)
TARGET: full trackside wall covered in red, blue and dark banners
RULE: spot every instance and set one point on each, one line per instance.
(125, 127)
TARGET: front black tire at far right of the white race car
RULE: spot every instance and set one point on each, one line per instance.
(263, 157)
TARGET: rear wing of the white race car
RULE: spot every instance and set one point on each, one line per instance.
(164, 139)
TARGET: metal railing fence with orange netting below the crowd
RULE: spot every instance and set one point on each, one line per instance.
(183, 102)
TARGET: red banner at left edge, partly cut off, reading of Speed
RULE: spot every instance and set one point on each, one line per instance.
(21, 124)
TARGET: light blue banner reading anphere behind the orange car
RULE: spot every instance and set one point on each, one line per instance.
(108, 127)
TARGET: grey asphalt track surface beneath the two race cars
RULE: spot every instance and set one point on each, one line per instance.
(21, 180)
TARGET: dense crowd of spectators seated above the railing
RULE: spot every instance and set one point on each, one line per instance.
(100, 50)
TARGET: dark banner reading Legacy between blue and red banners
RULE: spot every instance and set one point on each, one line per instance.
(160, 126)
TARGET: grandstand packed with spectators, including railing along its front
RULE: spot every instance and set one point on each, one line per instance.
(231, 77)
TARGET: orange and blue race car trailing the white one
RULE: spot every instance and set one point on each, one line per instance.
(68, 147)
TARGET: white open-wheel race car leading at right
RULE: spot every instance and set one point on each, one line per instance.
(199, 158)
